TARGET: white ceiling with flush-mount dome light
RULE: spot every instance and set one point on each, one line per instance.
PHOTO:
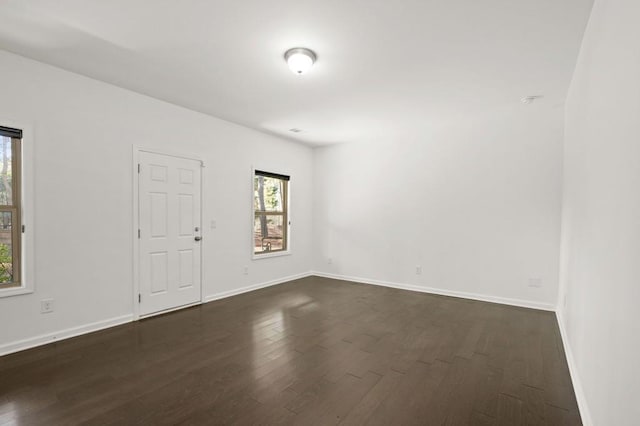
(385, 68)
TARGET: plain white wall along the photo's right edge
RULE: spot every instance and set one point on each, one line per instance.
(601, 217)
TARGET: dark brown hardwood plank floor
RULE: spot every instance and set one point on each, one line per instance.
(311, 351)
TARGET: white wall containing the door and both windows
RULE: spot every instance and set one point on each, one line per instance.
(83, 135)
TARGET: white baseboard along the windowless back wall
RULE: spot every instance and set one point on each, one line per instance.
(442, 292)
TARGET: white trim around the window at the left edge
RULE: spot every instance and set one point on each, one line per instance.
(27, 186)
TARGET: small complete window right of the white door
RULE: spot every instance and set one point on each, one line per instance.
(270, 208)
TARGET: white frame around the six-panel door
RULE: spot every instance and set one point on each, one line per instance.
(136, 150)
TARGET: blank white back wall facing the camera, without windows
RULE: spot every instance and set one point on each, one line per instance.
(477, 205)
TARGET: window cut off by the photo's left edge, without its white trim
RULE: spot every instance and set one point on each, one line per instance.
(10, 207)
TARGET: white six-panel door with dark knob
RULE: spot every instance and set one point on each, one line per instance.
(169, 197)
